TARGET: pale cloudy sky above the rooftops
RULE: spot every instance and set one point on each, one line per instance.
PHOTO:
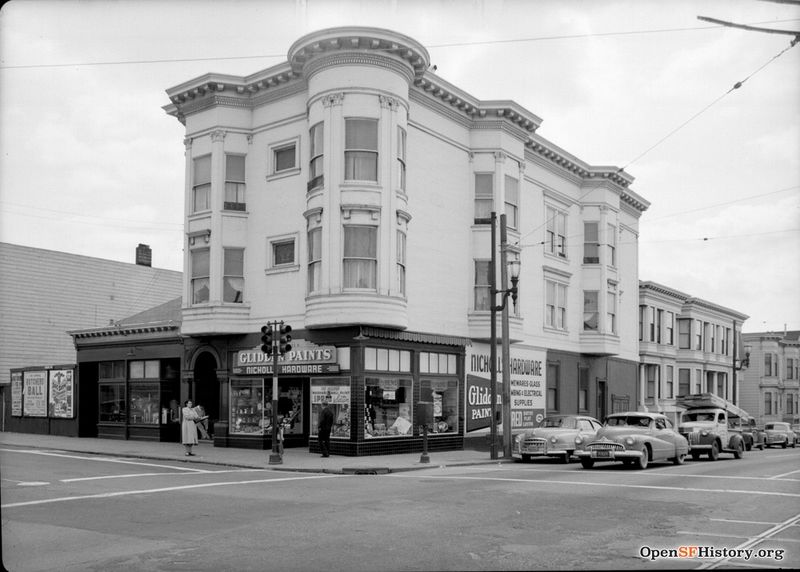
(91, 164)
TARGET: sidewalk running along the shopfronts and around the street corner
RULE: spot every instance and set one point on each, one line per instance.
(295, 459)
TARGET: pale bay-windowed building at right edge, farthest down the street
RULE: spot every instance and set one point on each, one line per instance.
(770, 384)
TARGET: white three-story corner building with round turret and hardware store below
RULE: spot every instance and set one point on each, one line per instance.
(348, 192)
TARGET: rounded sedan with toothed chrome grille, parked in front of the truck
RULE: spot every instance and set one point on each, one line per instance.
(637, 439)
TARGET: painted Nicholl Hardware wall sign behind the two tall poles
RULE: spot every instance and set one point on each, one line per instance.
(527, 386)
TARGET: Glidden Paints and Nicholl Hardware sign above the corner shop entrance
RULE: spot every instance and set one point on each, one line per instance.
(305, 358)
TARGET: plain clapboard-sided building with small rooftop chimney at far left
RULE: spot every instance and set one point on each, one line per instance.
(45, 293)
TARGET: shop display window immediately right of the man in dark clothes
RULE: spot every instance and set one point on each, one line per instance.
(387, 407)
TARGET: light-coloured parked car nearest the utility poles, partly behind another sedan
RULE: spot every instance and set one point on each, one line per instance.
(556, 436)
